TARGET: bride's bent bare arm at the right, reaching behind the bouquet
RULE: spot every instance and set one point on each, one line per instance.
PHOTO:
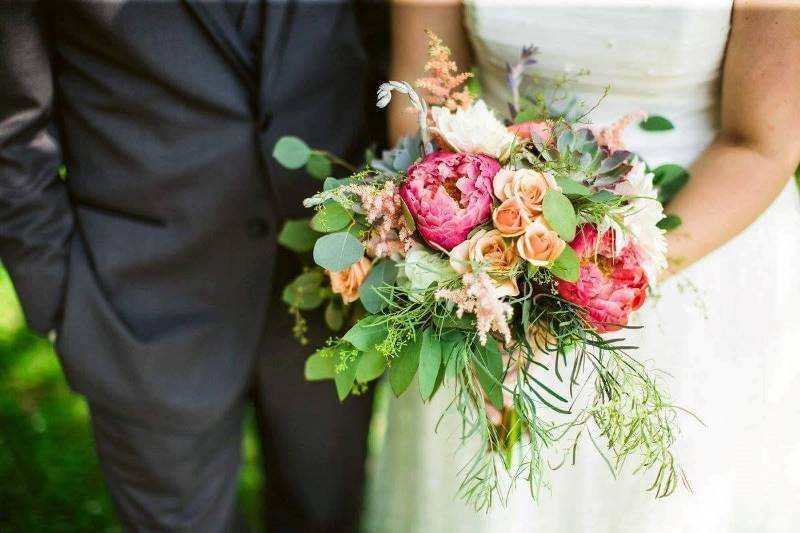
(758, 147)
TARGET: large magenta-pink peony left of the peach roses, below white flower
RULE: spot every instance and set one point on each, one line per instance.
(449, 194)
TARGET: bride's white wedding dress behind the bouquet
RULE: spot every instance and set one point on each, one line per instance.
(726, 329)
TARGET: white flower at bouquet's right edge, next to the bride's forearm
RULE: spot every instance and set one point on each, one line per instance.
(640, 218)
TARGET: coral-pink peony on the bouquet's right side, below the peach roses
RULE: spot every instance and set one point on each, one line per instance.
(610, 286)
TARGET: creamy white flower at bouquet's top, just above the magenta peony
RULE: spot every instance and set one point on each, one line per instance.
(474, 130)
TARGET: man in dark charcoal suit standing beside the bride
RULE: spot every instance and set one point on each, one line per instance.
(155, 260)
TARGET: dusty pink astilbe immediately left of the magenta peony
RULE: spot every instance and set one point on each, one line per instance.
(390, 233)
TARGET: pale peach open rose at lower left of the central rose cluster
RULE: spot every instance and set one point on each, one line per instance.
(491, 248)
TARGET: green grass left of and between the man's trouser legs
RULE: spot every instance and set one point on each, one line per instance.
(49, 477)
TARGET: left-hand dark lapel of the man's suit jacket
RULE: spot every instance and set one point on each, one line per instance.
(217, 22)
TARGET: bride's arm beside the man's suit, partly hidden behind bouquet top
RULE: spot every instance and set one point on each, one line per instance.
(410, 18)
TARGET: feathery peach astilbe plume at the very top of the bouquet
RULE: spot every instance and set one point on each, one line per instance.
(443, 77)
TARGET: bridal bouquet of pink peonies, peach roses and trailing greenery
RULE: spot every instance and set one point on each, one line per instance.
(491, 261)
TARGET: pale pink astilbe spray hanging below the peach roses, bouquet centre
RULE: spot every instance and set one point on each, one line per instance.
(480, 297)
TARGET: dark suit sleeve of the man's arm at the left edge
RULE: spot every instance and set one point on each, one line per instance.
(36, 220)
